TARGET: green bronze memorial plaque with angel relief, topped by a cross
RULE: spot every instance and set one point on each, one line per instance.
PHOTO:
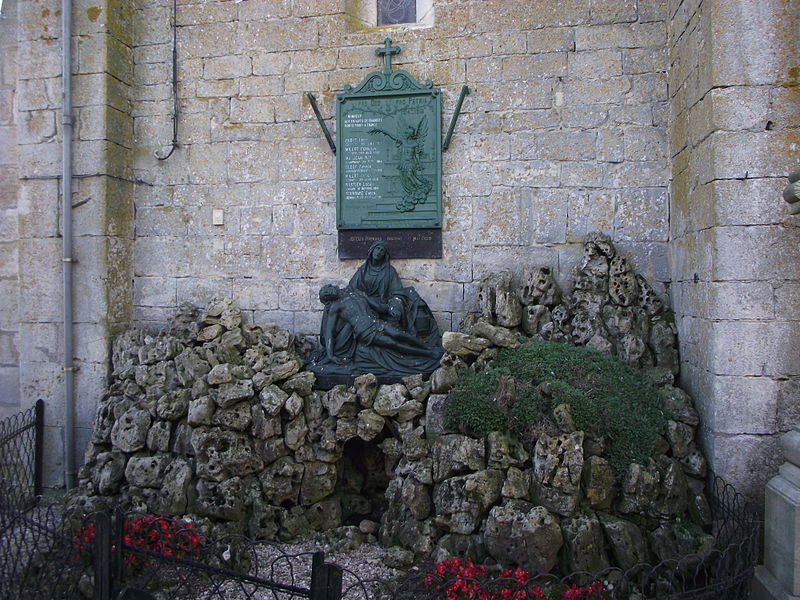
(389, 158)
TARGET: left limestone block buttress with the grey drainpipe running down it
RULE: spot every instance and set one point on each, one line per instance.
(102, 216)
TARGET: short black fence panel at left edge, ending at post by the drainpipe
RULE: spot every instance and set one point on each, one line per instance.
(20, 460)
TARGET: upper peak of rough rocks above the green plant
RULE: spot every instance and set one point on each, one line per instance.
(611, 309)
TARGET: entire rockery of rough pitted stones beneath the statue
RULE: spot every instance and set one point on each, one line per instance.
(215, 419)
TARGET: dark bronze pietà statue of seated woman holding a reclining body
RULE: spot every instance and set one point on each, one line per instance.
(376, 325)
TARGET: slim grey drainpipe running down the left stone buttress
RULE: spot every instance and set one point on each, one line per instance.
(66, 198)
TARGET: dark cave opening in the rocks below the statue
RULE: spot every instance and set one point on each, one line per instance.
(362, 482)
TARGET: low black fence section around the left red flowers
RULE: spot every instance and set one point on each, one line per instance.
(53, 554)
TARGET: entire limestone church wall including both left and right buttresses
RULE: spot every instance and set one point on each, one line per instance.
(571, 127)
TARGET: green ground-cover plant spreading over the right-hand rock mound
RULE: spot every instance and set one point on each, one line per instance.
(607, 398)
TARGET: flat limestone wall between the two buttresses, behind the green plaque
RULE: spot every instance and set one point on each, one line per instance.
(564, 133)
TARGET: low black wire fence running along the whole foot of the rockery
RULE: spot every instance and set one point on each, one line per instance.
(46, 554)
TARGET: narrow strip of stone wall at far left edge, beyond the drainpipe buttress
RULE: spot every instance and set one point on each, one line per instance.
(9, 248)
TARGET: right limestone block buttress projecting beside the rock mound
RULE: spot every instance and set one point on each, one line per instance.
(735, 254)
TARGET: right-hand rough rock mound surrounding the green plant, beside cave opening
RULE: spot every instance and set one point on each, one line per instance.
(560, 505)
